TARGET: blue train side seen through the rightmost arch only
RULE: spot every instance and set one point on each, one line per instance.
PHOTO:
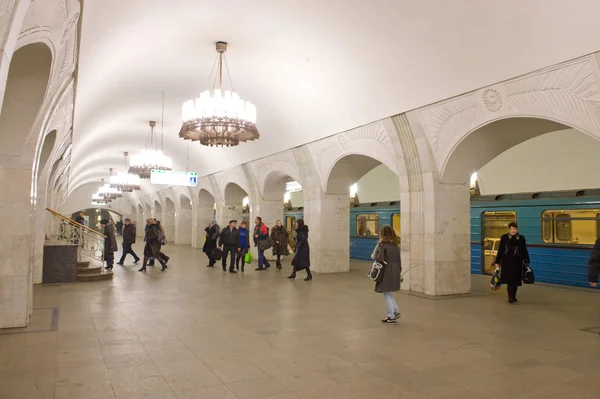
(560, 229)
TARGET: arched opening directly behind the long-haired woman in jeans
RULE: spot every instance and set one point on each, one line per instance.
(367, 194)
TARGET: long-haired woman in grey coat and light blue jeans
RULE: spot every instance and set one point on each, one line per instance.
(387, 252)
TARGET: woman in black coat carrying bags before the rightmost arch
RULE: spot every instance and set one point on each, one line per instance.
(511, 259)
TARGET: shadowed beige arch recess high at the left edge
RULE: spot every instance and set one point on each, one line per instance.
(26, 85)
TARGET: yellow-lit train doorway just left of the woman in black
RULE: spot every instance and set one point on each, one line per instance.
(494, 225)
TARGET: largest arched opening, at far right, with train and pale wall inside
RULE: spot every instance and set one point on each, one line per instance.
(495, 150)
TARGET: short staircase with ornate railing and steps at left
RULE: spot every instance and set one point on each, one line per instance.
(90, 247)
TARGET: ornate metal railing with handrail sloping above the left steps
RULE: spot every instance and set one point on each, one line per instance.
(90, 243)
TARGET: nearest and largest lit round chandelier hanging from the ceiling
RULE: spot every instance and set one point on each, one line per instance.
(219, 117)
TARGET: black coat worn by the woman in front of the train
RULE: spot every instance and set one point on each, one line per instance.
(512, 257)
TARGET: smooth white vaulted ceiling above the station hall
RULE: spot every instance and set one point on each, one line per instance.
(312, 68)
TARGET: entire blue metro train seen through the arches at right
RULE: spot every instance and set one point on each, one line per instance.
(560, 228)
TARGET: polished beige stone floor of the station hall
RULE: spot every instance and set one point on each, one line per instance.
(194, 332)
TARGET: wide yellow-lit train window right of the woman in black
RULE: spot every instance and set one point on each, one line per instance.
(576, 226)
